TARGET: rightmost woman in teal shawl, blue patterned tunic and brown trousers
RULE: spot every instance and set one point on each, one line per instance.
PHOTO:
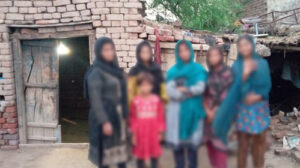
(250, 94)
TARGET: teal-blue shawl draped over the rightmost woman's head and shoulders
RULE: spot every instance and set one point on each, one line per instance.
(258, 82)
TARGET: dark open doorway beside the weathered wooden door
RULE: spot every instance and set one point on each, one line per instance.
(72, 106)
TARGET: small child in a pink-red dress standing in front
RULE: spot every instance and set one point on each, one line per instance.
(147, 122)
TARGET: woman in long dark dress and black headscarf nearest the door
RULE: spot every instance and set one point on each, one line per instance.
(105, 88)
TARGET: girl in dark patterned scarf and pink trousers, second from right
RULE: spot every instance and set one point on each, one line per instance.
(219, 80)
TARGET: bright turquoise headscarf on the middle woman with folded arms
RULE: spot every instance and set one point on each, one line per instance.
(191, 109)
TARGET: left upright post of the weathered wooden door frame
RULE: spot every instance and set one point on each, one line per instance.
(18, 69)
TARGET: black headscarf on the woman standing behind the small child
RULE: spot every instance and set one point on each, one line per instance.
(153, 67)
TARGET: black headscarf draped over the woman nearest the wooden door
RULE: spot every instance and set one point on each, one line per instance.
(109, 67)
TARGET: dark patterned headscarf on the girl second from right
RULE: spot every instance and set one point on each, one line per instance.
(219, 80)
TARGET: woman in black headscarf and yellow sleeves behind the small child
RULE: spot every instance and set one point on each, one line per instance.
(145, 63)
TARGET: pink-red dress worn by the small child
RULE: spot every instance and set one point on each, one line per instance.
(146, 122)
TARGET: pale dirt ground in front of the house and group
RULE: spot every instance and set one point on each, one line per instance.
(70, 157)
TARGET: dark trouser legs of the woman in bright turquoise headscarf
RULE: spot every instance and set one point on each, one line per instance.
(192, 157)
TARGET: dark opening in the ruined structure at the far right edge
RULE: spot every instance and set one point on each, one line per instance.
(285, 72)
